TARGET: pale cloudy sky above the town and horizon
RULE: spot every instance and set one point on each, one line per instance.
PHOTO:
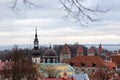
(49, 18)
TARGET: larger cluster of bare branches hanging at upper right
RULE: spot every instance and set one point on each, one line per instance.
(79, 12)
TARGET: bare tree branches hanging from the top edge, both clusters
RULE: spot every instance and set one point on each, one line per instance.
(74, 8)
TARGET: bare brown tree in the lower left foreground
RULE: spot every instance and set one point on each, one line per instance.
(20, 67)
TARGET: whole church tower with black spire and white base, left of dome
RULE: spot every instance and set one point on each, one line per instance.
(35, 51)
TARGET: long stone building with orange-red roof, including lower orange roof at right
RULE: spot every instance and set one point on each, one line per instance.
(89, 64)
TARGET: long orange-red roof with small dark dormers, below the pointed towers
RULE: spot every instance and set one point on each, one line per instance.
(88, 61)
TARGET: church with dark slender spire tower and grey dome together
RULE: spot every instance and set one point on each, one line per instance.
(49, 56)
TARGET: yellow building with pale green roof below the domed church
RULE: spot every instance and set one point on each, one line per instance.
(56, 70)
